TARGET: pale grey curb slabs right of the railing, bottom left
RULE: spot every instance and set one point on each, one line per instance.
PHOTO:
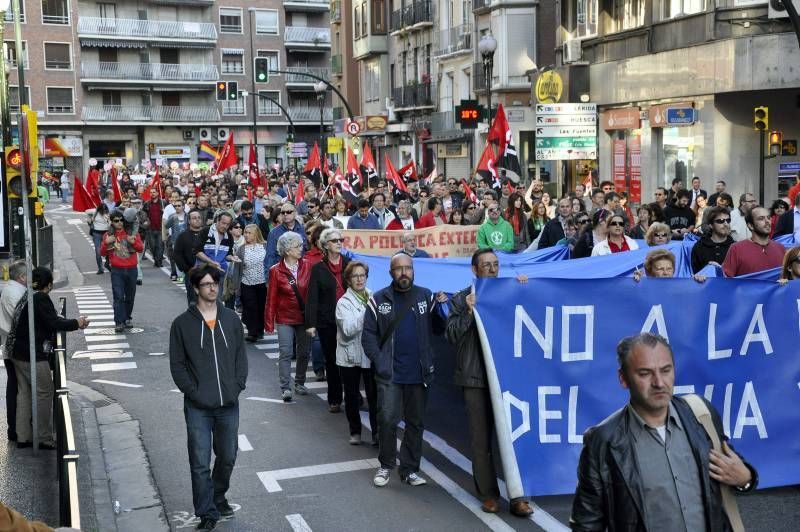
(120, 469)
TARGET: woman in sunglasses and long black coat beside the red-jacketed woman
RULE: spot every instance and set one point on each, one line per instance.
(325, 286)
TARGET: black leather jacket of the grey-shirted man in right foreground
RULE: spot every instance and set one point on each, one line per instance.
(609, 494)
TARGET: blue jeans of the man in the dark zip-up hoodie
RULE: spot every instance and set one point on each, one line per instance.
(207, 429)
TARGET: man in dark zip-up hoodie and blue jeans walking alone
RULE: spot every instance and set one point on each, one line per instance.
(208, 362)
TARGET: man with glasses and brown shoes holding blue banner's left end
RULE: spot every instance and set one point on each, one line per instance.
(470, 374)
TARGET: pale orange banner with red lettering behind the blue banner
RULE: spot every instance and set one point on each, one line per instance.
(439, 241)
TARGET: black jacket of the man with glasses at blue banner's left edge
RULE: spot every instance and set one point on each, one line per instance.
(462, 332)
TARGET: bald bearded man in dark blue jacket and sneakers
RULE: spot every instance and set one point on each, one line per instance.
(398, 328)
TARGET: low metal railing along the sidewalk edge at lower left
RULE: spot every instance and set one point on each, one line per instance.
(66, 448)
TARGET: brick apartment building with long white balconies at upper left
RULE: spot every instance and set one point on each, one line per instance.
(136, 80)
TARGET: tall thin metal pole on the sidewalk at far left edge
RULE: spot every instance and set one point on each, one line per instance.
(26, 216)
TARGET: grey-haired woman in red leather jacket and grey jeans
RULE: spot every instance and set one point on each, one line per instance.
(288, 286)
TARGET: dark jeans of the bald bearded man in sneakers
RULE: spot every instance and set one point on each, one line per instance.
(396, 402)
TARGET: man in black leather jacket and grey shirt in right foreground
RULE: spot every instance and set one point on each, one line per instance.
(680, 487)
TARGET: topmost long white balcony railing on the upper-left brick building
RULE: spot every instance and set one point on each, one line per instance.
(146, 29)
